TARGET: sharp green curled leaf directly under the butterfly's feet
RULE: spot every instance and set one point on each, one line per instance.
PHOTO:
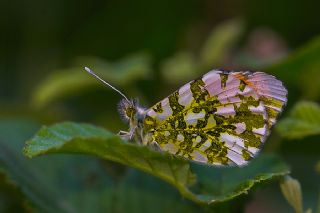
(84, 138)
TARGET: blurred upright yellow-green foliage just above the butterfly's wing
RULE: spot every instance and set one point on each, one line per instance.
(186, 65)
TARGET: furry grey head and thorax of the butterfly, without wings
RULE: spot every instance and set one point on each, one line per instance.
(133, 114)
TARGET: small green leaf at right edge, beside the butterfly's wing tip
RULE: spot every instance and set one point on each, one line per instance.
(303, 121)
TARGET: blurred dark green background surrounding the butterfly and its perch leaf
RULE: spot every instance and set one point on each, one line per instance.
(147, 49)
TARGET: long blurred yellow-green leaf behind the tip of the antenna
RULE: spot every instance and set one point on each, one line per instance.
(62, 83)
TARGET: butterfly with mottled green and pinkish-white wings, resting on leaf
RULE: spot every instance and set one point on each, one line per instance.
(222, 118)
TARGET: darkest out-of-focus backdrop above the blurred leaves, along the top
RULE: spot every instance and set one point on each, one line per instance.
(41, 36)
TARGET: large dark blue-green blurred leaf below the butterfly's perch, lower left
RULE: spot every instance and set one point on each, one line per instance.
(73, 183)
